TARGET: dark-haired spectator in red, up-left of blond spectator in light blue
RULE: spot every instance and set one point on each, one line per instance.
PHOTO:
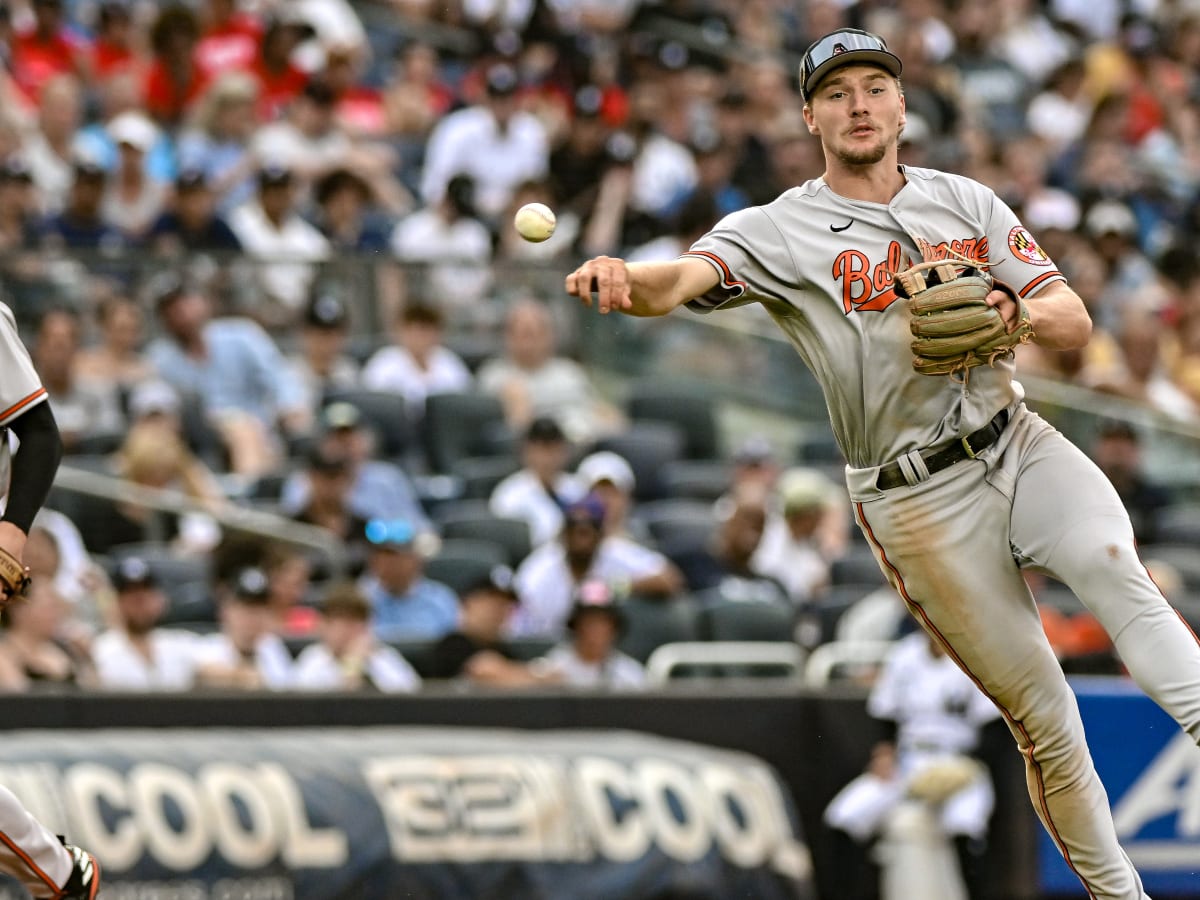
(175, 80)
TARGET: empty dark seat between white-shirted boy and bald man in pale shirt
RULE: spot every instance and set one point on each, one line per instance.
(464, 424)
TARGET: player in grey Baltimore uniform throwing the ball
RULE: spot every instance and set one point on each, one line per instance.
(955, 482)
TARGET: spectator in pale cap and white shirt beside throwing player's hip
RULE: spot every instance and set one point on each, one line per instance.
(791, 550)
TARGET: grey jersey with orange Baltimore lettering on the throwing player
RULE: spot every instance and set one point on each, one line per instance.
(821, 266)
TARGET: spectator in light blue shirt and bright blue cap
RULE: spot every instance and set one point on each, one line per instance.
(406, 603)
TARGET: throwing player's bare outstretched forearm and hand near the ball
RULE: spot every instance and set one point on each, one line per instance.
(640, 289)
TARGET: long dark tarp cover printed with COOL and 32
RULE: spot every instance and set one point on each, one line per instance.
(439, 814)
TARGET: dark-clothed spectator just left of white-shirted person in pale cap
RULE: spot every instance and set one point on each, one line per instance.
(727, 565)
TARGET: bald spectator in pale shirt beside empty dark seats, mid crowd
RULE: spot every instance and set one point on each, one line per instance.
(532, 381)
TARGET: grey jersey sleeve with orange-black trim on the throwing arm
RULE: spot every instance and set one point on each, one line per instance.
(751, 259)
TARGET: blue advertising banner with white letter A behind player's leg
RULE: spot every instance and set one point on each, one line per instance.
(1151, 771)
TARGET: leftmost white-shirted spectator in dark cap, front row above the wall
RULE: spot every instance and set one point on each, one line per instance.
(136, 655)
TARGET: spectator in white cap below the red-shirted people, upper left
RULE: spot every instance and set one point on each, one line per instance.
(134, 200)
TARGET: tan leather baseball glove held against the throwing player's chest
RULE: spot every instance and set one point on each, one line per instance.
(952, 323)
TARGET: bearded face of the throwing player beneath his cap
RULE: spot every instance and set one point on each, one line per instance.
(859, 115)
